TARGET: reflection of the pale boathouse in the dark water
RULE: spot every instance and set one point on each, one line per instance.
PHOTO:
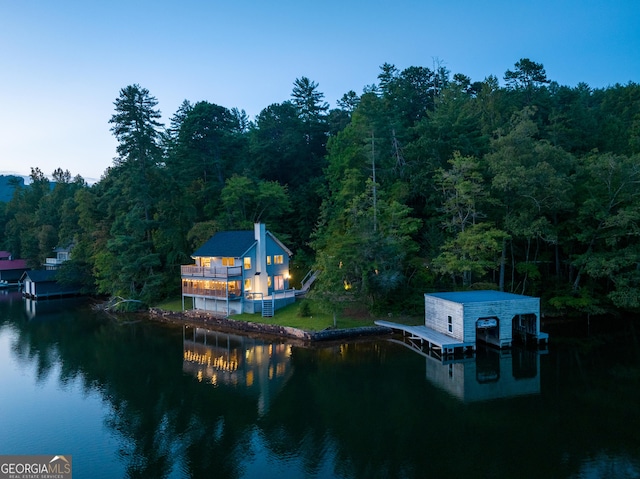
(487, 374)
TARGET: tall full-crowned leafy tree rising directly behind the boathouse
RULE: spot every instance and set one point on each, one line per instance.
(531, 181)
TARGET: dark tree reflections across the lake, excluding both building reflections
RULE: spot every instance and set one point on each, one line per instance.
(365, 408)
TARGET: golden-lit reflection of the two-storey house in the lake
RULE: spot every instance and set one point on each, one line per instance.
(221, 358)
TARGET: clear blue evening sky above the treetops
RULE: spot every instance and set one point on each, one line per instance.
(64, 62)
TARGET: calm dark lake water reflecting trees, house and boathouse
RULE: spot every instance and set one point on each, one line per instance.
(155, 401)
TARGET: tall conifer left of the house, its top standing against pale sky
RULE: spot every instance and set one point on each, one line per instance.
(129, 265)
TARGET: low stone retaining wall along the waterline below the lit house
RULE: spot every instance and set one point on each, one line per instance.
(264, 329)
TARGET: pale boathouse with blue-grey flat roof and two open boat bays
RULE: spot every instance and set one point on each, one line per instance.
(493, 317)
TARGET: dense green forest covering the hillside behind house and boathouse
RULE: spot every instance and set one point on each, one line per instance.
(425, 181)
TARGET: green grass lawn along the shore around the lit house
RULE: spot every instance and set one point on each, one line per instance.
(315, 320)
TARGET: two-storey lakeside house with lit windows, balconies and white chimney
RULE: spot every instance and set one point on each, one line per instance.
(239, 272)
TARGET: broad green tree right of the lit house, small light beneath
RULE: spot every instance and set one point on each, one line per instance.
(363, 251)
